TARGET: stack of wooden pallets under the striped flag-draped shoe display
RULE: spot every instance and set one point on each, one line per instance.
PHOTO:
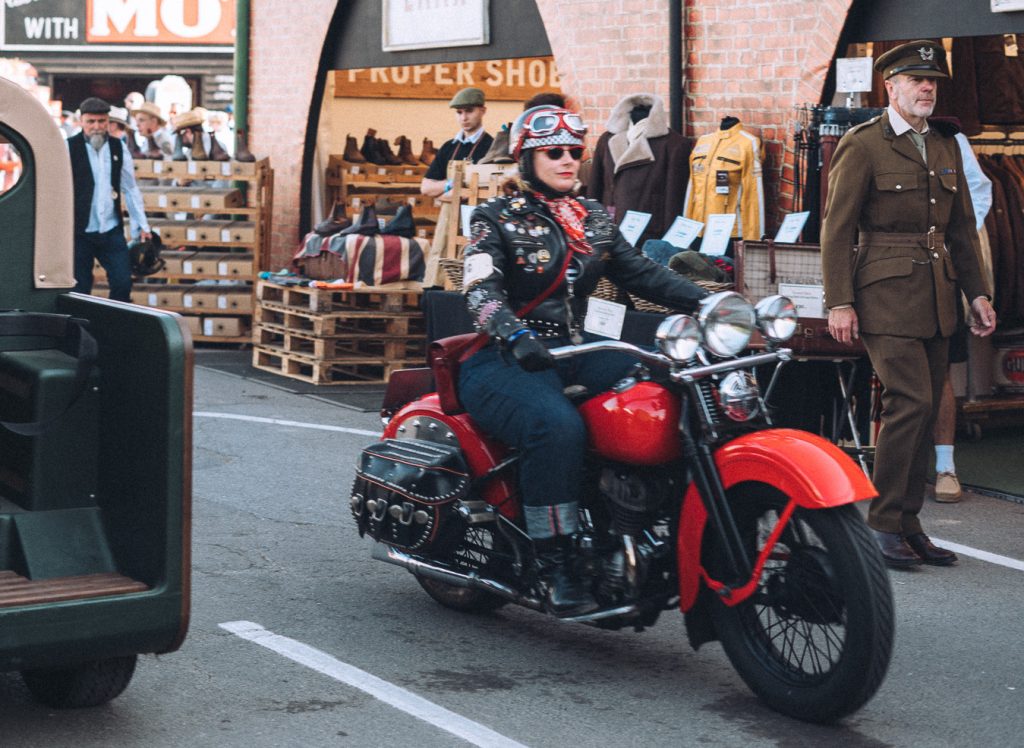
(327, 337)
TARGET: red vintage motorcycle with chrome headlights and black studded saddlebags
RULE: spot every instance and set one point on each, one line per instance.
(692, 502)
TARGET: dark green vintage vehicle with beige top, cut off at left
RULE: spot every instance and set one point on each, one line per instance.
(96, 447)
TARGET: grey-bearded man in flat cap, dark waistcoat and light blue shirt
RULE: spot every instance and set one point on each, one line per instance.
(103, 174)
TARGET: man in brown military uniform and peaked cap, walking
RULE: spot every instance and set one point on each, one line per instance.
(899, 232)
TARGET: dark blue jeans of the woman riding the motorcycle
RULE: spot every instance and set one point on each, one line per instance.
(530, 411)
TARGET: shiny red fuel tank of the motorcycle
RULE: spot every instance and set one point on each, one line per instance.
(639, 427)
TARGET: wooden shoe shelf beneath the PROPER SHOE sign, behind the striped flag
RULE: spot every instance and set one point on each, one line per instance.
(358, 185)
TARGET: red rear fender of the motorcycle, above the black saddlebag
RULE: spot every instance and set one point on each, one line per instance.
(482, 452)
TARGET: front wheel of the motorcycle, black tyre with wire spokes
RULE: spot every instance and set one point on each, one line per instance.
(816, 639)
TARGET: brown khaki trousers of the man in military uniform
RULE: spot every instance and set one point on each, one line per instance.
(912, 372)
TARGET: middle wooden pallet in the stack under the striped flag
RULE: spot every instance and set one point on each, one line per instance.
(386, 348)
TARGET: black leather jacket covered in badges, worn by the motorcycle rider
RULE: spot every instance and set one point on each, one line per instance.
(526, 251)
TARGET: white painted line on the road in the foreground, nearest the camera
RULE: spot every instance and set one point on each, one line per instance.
(396, 696)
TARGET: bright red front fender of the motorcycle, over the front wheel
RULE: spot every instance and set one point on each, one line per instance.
(812, 471)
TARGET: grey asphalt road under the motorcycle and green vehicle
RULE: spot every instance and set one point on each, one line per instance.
(274, 547)
